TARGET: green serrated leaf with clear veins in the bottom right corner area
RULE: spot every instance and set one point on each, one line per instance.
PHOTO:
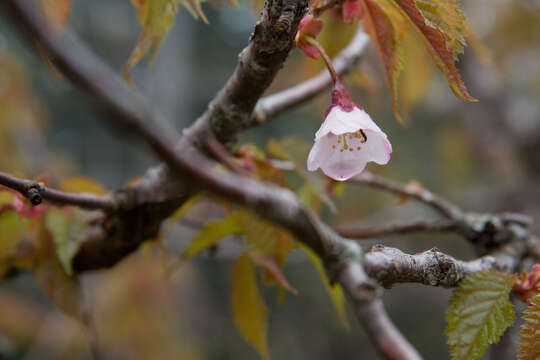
(479, 313)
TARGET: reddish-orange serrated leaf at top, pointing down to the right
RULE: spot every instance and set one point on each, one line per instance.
(442, 25)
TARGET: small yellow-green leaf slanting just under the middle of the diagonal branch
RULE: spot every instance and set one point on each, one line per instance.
(211, 233)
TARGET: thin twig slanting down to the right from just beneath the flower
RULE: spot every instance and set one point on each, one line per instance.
(444, 207)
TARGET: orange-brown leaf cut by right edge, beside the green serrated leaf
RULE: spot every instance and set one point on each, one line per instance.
(529, 342)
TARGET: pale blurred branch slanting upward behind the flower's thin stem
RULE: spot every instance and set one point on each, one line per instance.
(273, 105)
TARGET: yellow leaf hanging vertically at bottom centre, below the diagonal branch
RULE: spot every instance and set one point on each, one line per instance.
(249, 310)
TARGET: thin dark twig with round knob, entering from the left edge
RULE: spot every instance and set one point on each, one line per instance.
(36, 192)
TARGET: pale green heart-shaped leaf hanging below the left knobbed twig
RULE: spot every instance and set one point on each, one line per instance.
(68, 229)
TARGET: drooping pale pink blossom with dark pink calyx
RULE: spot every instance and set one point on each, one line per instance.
(347, 140)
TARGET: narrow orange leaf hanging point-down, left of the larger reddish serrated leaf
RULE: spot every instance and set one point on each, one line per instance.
(387, 27)
